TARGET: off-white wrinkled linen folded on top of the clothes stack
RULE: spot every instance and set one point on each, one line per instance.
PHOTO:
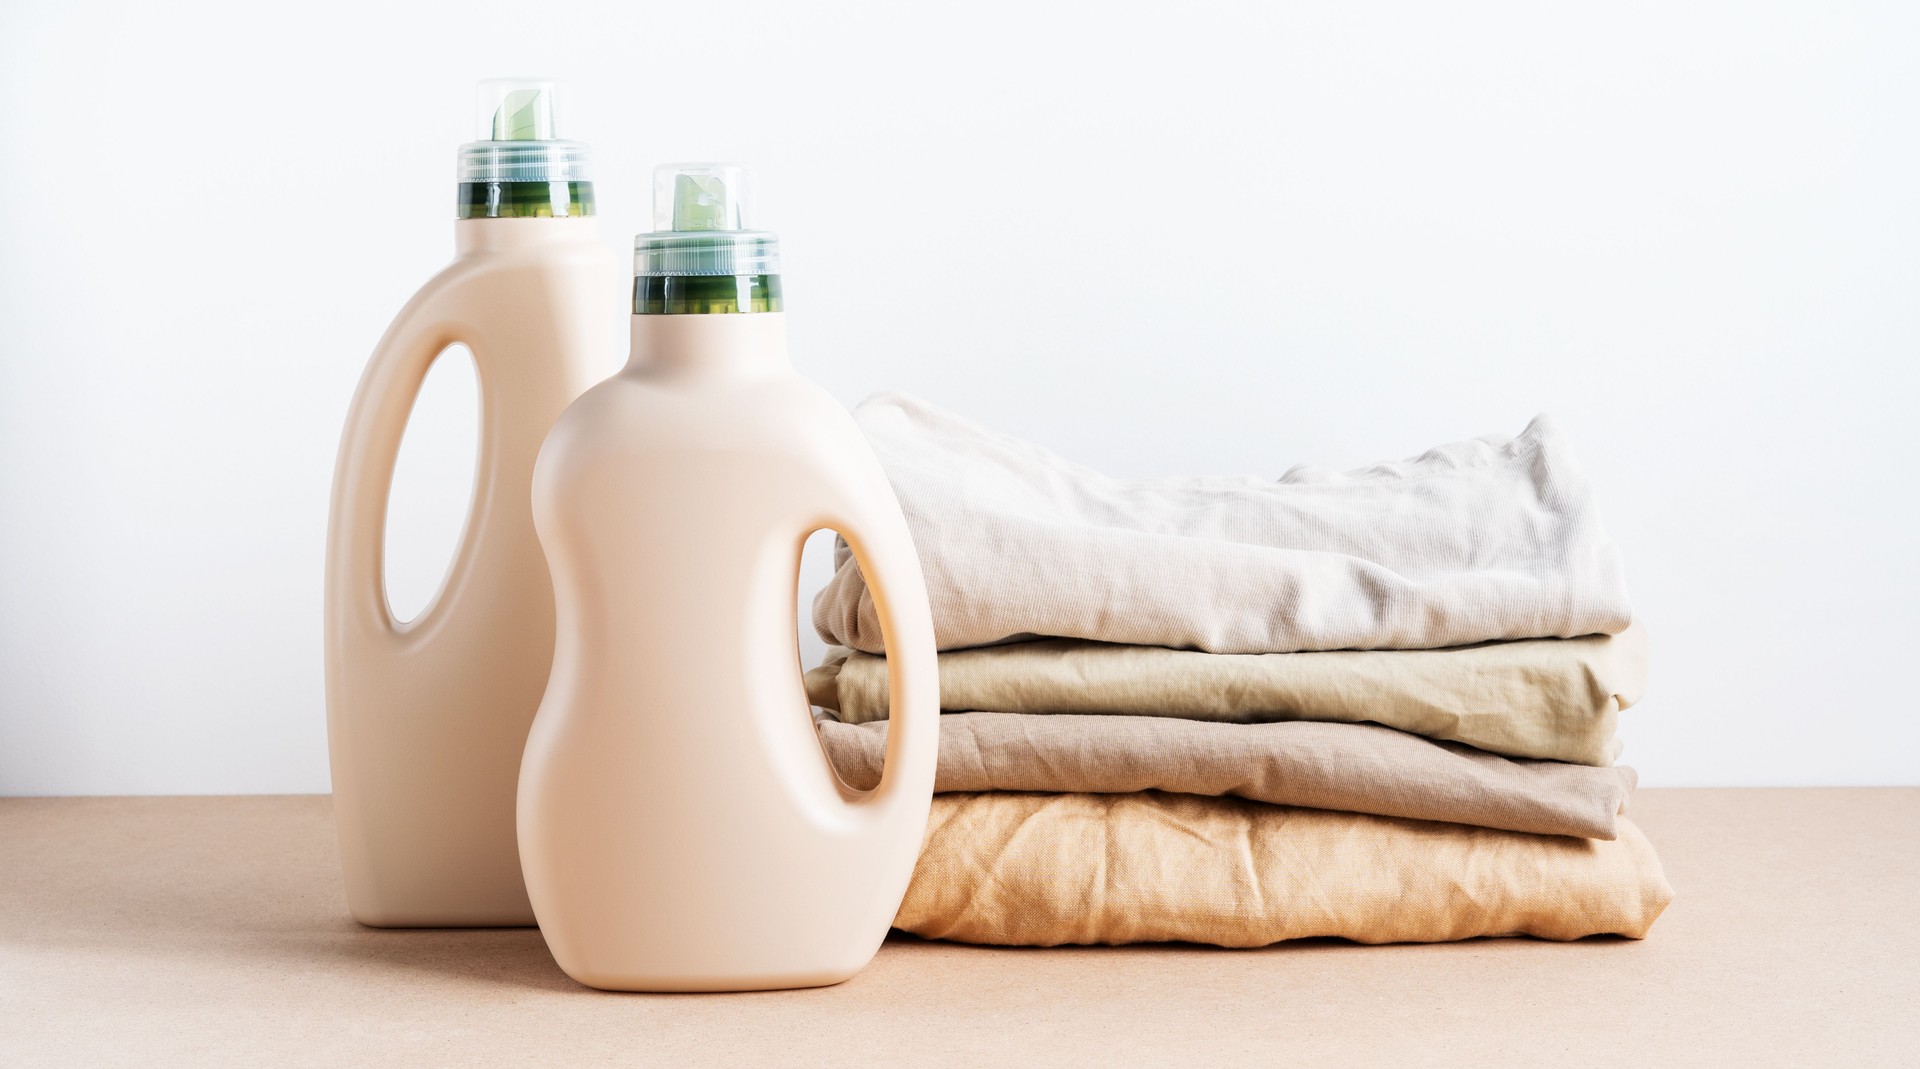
(1493, 538)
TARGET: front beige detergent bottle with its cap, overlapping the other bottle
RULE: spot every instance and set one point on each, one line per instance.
(681, 826)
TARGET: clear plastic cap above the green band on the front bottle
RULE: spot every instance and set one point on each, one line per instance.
(700, 218)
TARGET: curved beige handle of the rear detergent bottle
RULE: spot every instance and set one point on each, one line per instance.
(364, 475)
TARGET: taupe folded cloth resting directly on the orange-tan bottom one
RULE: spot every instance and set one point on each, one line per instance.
(1330, 767)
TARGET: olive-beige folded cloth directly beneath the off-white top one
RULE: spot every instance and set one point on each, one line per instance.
(1554, 700)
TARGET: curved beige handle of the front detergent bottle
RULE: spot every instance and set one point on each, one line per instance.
(892, 567)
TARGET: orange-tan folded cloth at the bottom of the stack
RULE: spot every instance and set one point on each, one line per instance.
(1042, 870)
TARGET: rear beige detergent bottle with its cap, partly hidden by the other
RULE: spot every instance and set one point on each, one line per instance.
(427, 719)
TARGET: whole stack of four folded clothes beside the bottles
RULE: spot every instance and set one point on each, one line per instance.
(1374, 705)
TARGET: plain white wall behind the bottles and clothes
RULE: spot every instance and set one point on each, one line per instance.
(1157, 239)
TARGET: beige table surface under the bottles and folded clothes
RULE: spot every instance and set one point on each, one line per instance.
(212, 932)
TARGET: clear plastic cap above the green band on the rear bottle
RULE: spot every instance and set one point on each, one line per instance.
(519, 128)
